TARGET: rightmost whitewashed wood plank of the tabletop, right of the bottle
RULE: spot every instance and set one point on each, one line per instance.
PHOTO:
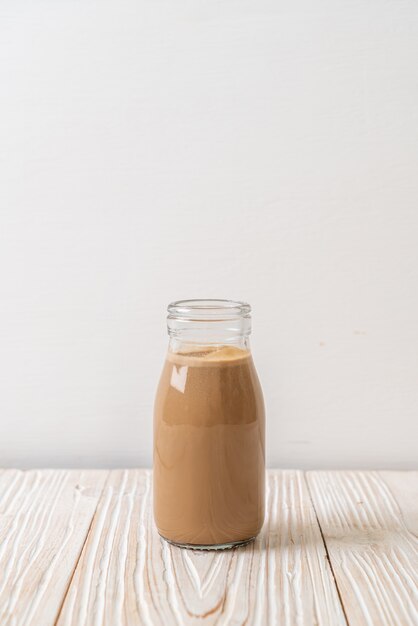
(370, 524)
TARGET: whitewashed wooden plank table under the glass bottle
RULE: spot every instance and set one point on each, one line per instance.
(79, 547)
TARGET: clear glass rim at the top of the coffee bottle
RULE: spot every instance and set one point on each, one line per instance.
(208, 310)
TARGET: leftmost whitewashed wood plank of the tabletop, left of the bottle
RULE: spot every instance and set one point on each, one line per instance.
(45, 516)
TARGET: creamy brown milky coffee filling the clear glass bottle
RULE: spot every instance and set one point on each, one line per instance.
(209, 447)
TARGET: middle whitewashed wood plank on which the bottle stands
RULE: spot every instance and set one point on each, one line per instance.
(127, 575)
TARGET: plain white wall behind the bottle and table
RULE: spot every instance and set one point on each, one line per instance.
(254, 149)
